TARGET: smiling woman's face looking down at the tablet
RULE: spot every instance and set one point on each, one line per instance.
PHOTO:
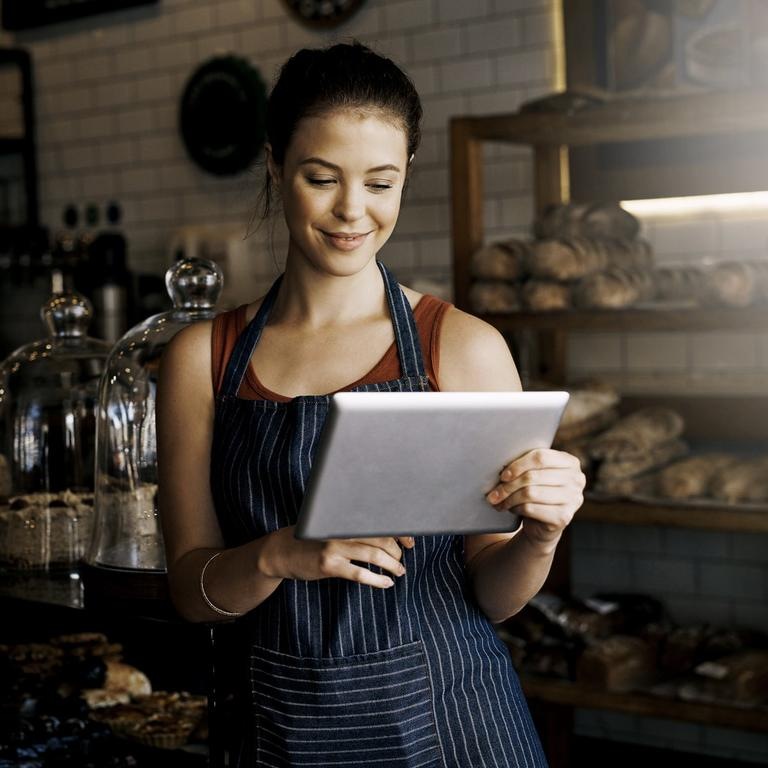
(341, 185)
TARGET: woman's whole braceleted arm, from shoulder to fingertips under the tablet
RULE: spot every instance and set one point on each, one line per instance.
(240, 578)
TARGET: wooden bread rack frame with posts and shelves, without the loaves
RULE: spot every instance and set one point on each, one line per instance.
(730, 116)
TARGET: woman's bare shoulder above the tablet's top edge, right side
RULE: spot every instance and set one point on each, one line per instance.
(474, 356)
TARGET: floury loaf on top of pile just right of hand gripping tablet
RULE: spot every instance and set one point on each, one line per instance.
(637, 434)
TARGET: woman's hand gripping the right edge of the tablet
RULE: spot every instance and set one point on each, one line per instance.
(545, 486)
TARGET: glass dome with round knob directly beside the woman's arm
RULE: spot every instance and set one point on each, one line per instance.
(126, 531)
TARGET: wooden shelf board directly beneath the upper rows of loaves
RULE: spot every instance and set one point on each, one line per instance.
(642, 320)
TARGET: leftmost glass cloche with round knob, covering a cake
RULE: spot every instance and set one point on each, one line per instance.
(48, 406)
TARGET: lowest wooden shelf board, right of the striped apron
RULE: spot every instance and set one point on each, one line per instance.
(574, 695)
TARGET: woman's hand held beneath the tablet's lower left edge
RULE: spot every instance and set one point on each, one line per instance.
(285, 556)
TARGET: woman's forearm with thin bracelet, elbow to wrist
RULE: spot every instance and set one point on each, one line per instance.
(235, 581)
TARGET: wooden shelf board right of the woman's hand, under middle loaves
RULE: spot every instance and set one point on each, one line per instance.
(723, 518)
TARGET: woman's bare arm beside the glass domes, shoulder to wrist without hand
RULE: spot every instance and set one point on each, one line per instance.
(235, 581)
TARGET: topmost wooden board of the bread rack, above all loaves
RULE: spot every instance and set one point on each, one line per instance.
(723, 113)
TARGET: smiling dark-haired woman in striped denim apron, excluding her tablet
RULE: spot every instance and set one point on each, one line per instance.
(369, 651)
